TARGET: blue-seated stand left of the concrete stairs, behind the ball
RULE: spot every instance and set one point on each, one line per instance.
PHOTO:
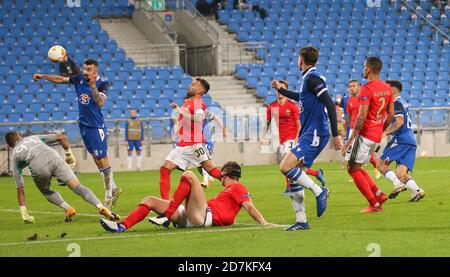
(30, 27)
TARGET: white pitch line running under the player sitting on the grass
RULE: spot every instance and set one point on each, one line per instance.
(215, 230)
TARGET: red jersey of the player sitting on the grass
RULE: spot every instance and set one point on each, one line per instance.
(227, 204)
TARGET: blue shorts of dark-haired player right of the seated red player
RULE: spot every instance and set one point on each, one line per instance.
(309, 148)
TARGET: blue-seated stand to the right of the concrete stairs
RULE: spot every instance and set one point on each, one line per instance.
(346, 32)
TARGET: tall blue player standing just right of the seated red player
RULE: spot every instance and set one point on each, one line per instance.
(317, 111)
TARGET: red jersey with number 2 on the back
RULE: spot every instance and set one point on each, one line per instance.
(377, 95)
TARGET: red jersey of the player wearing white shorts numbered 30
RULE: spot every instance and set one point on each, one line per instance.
(190, 132)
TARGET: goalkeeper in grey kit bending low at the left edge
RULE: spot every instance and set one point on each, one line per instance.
(44, 163)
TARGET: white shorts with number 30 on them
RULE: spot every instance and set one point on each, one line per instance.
(183, 156)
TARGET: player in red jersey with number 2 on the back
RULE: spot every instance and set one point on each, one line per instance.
(376, 100)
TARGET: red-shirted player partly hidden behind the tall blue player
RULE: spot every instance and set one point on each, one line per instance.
(287, 118)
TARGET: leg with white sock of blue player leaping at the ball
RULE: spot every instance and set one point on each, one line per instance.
(112, 192)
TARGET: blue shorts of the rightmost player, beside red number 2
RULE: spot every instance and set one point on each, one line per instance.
(404, 154)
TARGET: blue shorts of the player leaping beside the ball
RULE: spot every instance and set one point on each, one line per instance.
(95, 141)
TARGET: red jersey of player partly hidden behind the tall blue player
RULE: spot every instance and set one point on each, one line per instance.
(286, 117)
